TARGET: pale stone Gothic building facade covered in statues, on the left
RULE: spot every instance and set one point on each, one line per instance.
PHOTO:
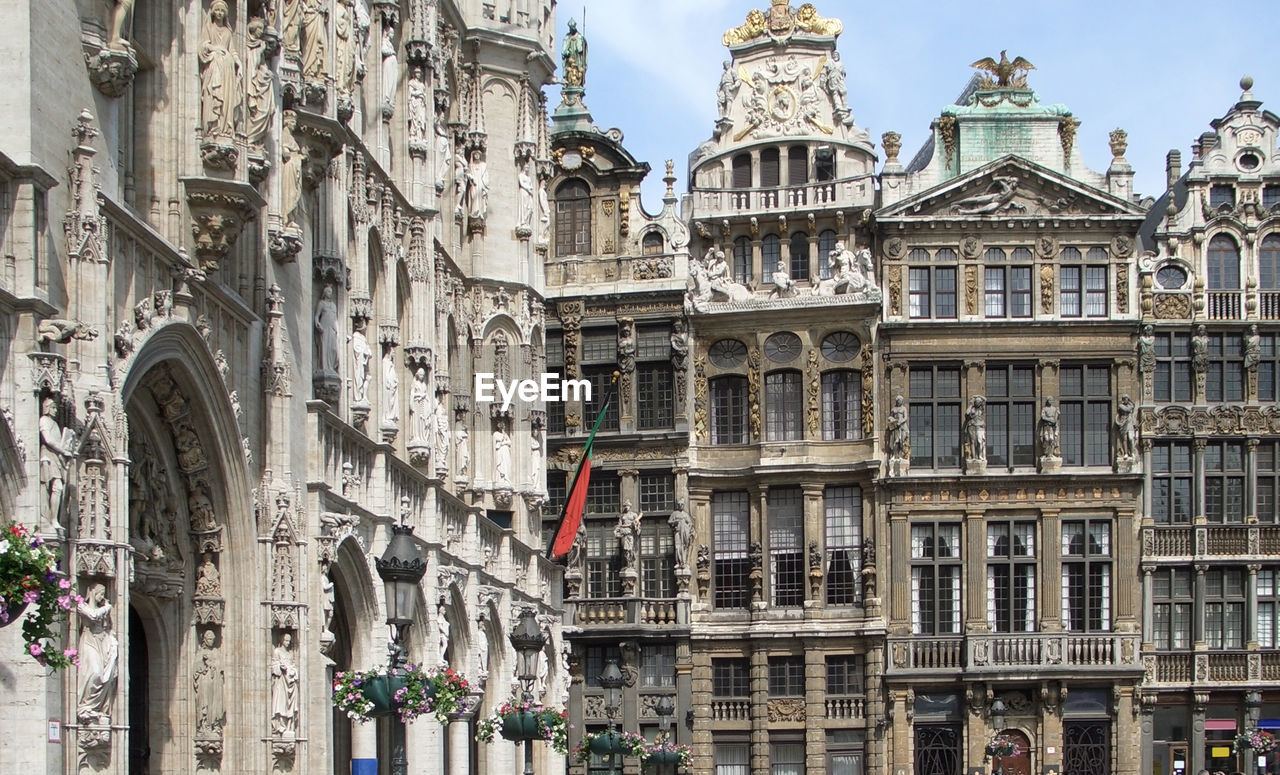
(257, 253)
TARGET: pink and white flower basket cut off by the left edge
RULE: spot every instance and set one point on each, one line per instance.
(29, 575)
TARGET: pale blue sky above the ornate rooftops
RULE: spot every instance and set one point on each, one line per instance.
(1159, 70)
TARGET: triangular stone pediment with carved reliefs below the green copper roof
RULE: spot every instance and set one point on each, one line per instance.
(1012, 188)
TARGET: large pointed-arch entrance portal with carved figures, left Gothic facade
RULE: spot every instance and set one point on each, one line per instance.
(191, 591)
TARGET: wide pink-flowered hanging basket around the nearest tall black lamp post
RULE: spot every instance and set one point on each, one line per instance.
(408, 692)
